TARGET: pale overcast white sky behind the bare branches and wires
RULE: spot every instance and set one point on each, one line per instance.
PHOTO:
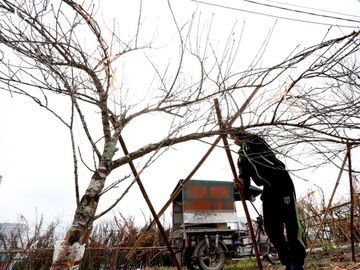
(35, 153)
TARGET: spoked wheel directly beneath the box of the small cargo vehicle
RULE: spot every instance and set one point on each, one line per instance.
(211, 257)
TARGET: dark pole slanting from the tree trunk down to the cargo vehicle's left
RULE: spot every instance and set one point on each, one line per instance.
(146, 197)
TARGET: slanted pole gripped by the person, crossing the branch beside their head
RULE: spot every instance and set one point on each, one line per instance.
(241, 191)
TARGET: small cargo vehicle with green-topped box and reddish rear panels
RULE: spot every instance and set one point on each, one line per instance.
(206, 229)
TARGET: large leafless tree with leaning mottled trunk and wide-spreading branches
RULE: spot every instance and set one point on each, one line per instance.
(45, 58)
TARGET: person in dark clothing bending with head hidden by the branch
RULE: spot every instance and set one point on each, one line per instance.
(258, 162)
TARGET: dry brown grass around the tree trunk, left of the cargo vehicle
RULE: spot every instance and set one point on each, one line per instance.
(31, 247)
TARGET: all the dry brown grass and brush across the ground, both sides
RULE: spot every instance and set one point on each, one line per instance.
(30, 247)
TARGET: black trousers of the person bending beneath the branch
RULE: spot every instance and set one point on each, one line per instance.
(280, 212)
